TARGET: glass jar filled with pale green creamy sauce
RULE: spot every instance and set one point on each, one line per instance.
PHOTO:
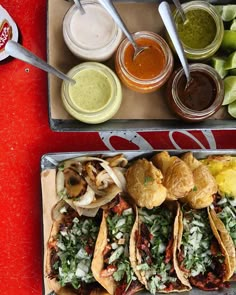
(95, 97)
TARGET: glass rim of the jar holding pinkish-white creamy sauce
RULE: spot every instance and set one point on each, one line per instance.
(68, 34)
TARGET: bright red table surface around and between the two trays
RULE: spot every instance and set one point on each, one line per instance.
(25, 136)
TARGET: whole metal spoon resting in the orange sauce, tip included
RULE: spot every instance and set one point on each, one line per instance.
(108, 5)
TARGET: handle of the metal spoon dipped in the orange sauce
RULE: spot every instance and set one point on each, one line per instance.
(108, 5)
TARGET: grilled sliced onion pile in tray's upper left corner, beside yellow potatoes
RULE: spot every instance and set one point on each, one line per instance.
(87, 183)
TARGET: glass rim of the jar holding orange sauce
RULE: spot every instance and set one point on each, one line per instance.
(164, 47)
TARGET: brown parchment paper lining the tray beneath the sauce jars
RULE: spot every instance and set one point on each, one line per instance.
(138, 17)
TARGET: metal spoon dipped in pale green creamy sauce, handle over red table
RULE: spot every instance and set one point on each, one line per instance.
(16, 50)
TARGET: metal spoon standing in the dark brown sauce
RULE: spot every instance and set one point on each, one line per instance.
(165, 13)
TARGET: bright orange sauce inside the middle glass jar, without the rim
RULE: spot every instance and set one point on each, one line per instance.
(149, 63)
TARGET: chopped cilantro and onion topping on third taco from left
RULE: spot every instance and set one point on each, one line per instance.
(159, 222)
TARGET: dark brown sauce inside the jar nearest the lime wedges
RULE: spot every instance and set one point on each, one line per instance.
(200, 93)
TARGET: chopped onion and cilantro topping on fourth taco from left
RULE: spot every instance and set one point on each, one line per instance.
(196, 242)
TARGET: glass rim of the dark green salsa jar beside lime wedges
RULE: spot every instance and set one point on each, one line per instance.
(209, 8)
